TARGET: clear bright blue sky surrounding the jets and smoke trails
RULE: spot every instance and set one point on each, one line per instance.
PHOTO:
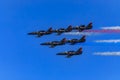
(22, 57)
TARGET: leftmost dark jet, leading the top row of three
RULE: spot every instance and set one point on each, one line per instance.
(42, 32)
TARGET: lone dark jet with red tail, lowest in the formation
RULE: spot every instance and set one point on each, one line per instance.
(71, 53)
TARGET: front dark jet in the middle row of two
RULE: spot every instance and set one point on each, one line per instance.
(55, 43)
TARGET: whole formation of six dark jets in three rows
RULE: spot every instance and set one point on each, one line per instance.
(64, 41)
